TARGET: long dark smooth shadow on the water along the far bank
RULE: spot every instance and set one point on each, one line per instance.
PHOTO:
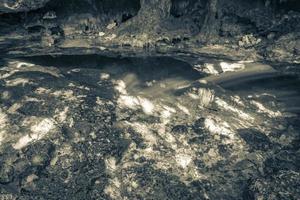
(145, 68)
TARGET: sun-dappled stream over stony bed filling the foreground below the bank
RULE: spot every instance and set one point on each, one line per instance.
(80, 127)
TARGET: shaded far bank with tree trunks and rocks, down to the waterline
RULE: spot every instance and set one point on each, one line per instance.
(249, 29)
